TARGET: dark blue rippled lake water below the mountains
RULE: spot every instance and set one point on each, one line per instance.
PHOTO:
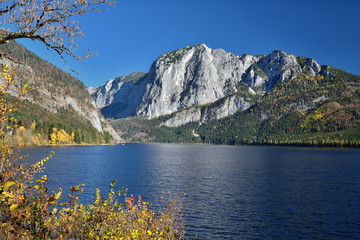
(236, 192)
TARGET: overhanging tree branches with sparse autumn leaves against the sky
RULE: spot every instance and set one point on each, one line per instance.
(52, 22)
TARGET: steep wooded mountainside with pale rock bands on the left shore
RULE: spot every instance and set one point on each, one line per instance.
(55, 98)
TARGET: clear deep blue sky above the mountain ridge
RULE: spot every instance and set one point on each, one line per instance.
(131, 35)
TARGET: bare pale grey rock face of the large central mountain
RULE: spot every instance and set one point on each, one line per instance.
(198, 76)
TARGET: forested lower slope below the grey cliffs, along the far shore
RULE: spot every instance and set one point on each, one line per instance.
(305, 111)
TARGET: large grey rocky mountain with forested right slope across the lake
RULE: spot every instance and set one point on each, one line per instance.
(197, 94)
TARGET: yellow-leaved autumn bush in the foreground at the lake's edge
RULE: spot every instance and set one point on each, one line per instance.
(29, 211)
